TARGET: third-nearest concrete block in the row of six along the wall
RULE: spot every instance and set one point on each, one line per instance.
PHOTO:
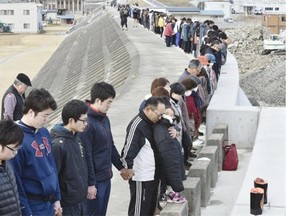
(200, 169)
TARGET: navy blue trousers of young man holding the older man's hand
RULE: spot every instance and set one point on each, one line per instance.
(99, 205)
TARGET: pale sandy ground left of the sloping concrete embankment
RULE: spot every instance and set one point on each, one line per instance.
(27, 53)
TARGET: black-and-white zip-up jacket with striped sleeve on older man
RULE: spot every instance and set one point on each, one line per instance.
(139, 151)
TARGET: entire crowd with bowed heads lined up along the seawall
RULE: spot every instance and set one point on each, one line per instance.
(68, 170)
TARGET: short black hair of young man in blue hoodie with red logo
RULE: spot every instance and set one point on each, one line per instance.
(39, 100)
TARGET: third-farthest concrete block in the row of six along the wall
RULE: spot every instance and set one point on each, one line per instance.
(211, 152)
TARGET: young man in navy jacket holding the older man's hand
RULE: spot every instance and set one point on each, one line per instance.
(100, 151)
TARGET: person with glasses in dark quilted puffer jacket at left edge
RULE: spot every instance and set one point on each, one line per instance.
(11, 137)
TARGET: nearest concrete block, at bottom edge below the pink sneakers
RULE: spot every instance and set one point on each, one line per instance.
(175, 209)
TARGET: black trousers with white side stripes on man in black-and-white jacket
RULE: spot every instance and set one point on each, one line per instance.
(143, 197)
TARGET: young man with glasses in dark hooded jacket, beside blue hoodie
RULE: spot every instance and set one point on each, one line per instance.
(69, 157)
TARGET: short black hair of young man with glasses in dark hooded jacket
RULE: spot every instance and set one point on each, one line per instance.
(73, 109)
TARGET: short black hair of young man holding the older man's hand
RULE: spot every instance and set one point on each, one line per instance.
(103, 91)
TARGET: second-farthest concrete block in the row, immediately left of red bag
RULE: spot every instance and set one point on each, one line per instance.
(217, 140)
